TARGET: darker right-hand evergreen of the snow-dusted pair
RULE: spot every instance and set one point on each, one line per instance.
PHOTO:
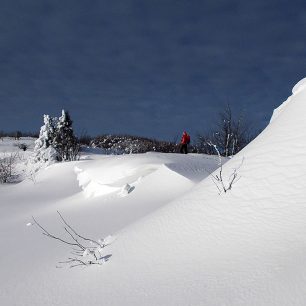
(64, 142)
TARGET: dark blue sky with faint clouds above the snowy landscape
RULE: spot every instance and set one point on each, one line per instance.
(147, 67)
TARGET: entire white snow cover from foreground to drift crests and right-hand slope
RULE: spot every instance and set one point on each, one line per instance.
(173, 239)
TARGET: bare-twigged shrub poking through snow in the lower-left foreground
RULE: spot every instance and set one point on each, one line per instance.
(84, 251)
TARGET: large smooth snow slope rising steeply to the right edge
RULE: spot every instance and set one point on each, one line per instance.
(246, 247)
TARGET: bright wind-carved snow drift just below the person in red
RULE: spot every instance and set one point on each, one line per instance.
(121, 175)
